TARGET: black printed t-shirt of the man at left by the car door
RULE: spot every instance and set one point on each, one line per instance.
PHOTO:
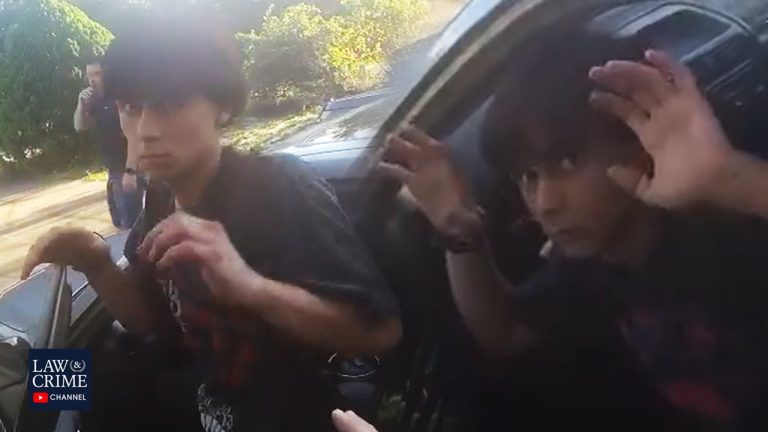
(285, 222)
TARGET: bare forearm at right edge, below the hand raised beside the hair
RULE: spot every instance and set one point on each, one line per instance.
(744, 188)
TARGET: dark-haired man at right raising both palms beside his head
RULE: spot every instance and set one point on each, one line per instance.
(647, 315)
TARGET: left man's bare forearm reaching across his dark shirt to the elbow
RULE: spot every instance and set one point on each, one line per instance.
(315, 321)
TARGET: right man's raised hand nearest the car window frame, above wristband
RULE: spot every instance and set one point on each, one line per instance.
(424, 166)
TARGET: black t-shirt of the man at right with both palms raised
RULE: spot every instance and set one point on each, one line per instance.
(683, 342)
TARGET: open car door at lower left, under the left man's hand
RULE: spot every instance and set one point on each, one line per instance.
(55, 308)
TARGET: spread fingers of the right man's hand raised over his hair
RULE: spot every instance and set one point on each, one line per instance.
(644, 85)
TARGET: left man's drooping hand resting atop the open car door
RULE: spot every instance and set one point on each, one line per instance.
(82, 249)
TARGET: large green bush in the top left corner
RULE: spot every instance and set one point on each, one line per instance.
(42, 45)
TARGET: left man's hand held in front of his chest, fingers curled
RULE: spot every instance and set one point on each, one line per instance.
(182, 238)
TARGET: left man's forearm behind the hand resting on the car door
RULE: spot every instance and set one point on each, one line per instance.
(121, 295)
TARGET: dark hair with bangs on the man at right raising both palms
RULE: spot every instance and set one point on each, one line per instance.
(541, 113)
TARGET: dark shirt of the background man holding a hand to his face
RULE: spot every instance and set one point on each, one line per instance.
(108, 134)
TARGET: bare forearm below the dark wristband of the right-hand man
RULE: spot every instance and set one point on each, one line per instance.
(479, 290)
